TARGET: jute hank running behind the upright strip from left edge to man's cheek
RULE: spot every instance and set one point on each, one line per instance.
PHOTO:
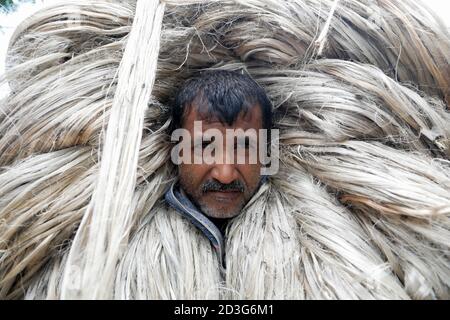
(36, 203)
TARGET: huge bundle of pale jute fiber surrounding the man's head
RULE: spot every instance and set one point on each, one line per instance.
(360, 208)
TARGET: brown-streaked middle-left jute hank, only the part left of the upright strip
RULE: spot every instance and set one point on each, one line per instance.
(34, 206)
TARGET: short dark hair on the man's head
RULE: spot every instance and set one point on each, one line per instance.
(223, 94)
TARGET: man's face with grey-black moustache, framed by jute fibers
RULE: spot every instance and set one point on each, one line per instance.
(222, 188)
